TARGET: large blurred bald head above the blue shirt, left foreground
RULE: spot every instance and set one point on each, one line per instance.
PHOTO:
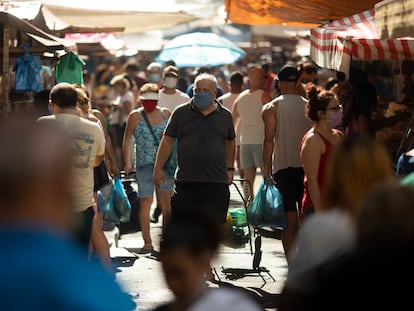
(35, 174)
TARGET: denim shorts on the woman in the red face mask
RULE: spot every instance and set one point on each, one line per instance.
(145, 181)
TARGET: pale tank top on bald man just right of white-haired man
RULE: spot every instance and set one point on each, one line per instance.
(251, 122)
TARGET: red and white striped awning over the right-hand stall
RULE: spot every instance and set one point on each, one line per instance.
(334, 44)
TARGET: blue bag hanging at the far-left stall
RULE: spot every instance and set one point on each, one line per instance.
(28, 72)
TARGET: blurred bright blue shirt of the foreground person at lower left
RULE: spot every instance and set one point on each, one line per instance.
(42, 271)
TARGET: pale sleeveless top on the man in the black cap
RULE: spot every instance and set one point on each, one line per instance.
(292, 124)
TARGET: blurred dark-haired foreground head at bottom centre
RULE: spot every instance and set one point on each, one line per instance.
(188, 244)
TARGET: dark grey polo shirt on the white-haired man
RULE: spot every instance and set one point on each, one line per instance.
(201, 143)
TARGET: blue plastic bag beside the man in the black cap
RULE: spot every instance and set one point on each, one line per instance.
(267, 208)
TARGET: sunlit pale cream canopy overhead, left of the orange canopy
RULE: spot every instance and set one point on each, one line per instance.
(132, 21)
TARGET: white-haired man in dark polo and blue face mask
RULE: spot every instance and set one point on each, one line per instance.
(206, 149)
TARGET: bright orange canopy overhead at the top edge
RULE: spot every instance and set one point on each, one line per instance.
(293, 13)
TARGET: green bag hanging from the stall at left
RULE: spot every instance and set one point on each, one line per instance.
(69, 69)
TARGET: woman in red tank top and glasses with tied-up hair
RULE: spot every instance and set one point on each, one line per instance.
(325, 112)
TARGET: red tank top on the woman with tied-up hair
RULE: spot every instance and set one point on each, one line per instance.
(306, 199)
